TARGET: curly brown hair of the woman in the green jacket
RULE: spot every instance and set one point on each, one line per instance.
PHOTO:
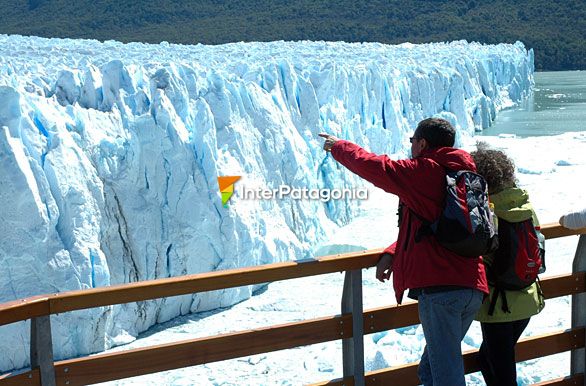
(495, 167)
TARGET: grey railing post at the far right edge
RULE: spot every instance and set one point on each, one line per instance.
(578, 361)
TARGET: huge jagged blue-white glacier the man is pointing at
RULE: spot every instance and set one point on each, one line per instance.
(110, 153)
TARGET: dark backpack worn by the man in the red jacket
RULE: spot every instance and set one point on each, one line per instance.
(466, 225)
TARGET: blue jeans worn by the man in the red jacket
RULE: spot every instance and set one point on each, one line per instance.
(445, 318)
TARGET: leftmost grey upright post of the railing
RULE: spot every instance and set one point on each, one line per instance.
(42, 349)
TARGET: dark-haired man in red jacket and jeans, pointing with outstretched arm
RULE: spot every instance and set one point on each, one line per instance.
(448, 287)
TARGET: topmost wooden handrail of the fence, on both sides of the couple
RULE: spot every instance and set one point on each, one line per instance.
(49, 304)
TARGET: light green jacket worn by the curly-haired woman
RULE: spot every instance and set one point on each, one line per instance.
(512, 204)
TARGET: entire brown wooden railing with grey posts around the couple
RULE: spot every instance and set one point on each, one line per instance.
(350, 326)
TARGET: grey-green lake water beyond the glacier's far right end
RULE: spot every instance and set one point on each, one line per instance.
(557, 105)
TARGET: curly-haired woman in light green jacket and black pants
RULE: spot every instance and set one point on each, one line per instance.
(503, 324)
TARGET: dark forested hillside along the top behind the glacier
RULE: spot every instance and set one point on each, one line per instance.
(555, 29)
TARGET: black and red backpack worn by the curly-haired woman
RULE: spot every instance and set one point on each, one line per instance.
(518, 260)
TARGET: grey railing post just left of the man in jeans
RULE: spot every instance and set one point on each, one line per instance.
(353, 348)
